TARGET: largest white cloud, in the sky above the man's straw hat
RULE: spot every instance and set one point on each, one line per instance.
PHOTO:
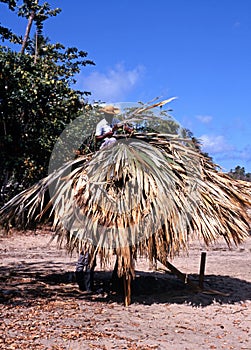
(114, 84)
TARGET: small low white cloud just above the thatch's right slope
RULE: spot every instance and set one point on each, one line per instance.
(214, 144)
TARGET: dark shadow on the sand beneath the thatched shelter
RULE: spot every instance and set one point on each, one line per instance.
(28, 282)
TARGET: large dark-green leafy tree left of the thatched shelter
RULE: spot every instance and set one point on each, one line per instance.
(37, 100)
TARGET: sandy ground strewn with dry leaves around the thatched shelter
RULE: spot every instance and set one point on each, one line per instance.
(42, 308)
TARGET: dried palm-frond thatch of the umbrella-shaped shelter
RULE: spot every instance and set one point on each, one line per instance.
(149, 192)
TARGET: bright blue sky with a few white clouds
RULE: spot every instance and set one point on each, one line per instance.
(197, 50)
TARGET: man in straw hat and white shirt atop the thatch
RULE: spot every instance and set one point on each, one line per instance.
(107, 127)
